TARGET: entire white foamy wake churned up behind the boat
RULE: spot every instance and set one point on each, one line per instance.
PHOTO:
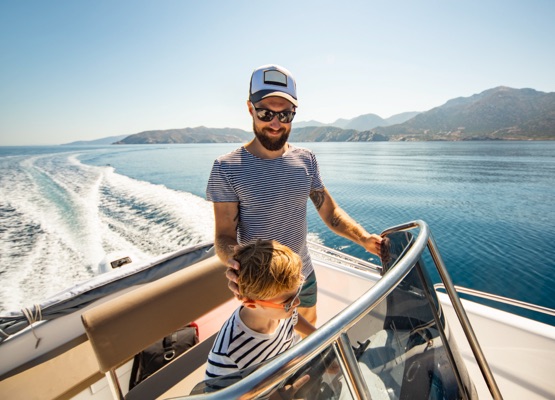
(59, 218)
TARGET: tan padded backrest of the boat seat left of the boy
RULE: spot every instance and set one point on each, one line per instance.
(124, 326)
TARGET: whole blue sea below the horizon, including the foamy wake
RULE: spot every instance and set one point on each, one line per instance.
(66, 210)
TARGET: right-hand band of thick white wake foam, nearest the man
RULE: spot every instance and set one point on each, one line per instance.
(153, 218)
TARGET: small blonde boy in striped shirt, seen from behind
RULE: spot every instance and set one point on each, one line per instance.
(264, 326)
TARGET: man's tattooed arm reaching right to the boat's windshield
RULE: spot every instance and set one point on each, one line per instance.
(342, 224)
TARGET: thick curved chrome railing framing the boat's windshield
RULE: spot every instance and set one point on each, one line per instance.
(333, 333)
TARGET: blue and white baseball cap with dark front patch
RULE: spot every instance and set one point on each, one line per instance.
(272, 80)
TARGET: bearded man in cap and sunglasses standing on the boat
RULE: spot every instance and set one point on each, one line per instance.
(260, 190)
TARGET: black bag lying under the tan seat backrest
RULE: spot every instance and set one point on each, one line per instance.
(162, 352)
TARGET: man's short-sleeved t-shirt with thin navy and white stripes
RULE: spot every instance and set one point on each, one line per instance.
(272, 195)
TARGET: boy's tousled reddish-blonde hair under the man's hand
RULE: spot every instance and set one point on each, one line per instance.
(267, 269)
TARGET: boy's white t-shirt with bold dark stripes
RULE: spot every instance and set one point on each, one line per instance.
(237, 346)
